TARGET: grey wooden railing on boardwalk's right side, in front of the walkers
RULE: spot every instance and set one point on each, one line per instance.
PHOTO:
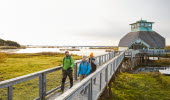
(92, 86)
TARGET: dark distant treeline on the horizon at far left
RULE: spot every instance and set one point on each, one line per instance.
(9, 43)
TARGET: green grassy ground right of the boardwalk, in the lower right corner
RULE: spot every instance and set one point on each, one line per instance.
(142, 86)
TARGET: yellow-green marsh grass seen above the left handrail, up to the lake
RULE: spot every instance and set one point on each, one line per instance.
(21, 64)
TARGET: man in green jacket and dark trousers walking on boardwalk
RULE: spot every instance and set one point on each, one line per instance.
(67, 70)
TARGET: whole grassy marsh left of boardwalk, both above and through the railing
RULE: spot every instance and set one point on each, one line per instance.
(16, 65)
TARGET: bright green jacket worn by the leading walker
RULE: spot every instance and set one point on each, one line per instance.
(68, 62)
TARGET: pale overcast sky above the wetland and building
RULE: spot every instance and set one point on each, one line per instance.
(79, 22)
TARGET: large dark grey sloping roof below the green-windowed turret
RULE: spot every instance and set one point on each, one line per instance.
(153, 39)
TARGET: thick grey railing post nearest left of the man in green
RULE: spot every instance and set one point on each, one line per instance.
(42, 86)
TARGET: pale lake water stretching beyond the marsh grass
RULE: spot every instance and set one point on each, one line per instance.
(83, 51)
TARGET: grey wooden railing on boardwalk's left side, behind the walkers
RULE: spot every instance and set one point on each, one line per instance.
(42, 77)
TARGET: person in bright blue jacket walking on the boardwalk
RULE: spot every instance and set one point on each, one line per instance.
(84, 68)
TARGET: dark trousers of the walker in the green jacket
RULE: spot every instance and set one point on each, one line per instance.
(66, 73)
